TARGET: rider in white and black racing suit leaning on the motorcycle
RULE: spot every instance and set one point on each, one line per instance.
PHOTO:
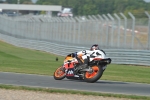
(89, 55)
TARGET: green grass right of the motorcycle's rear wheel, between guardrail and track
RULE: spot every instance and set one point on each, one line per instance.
(127, 73)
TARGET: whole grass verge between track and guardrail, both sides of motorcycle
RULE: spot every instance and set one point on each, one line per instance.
(22, 60)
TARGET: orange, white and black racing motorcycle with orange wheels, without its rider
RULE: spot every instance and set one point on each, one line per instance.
(72, 69)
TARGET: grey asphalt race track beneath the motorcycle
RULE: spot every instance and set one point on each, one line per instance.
(99, 86)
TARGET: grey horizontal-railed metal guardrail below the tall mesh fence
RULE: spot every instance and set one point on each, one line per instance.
(118, 56)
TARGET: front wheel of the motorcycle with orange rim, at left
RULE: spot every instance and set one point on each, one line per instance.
(59, 73)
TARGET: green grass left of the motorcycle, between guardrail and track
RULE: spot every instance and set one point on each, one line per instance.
(21, 60)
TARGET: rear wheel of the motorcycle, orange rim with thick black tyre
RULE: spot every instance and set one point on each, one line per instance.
(95, 75)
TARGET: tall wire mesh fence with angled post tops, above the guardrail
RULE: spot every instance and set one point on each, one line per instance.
(109, 31)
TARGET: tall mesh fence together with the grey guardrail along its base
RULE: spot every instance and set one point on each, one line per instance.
(125, 40)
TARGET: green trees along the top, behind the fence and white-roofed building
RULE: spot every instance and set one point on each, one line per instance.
(94, 7)
